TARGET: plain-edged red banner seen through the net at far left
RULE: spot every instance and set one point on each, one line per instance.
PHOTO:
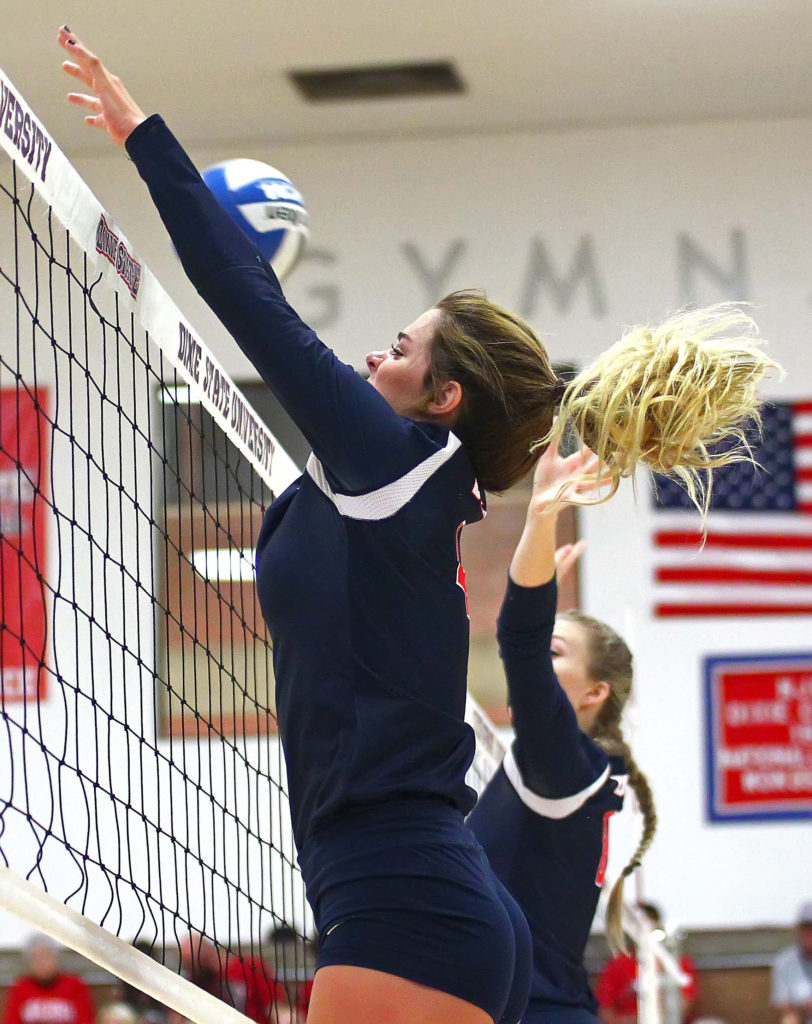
(24, 458)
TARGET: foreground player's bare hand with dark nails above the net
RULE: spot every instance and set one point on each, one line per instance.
(112, 109)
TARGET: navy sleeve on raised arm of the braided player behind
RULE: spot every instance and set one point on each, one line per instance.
(555, 758)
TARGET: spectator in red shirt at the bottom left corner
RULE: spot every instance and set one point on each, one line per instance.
(46, 995)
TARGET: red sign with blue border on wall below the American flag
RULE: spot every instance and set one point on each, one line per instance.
(759, 737)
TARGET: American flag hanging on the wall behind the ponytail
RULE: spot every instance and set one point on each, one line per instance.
(757, 560)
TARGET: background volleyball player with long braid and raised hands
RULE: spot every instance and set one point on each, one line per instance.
(543, 820)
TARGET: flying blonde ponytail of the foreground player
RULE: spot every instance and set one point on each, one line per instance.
(669, 397)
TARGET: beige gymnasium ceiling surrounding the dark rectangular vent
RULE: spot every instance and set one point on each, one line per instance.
(219, 70)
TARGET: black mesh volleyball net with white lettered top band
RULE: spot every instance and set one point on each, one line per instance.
(143, 792)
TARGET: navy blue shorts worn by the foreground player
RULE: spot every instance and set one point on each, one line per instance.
(405, 888)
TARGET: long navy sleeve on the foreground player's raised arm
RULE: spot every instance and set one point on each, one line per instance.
(353, 430)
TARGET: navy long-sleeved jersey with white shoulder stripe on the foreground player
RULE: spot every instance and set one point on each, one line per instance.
(358, 562)
